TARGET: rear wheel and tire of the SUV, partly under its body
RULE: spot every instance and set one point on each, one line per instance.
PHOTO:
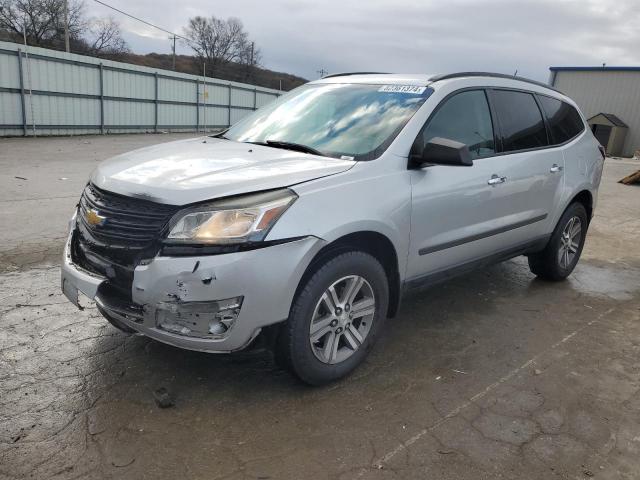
(561, 255)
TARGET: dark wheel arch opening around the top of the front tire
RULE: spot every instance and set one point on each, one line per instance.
(375, 244)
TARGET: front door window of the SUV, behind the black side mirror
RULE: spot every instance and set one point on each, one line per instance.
(465, 118)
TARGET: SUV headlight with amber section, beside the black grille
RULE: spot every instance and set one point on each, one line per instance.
(242, 219)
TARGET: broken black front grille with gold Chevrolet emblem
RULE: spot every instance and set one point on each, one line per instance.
(129, 231)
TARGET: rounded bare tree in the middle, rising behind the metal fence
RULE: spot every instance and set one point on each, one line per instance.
(218, 41)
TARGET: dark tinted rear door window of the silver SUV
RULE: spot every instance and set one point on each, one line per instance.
(520, 120)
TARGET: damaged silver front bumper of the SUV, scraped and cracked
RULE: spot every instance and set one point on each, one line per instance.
(265, 278)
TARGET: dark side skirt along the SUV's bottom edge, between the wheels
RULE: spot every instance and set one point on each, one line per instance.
(434, 278)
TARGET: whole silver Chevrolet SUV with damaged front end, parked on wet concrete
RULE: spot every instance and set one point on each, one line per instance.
(304, 223)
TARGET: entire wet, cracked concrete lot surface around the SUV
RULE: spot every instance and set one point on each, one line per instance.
(492, 375)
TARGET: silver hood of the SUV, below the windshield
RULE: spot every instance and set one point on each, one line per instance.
(199, 169)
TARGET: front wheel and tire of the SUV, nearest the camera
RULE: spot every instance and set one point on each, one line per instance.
(326, 359)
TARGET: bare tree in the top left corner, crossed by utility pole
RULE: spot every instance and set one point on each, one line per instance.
(41, 20)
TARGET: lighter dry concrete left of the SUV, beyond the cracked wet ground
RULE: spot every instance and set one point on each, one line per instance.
(40, 182)
